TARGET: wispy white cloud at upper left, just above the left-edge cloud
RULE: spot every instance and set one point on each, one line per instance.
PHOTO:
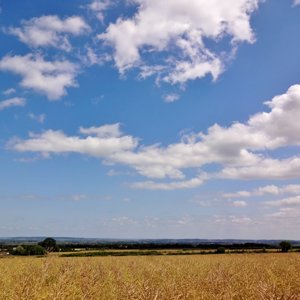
(48, 31)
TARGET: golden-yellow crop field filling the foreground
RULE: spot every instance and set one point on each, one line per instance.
(230, 276)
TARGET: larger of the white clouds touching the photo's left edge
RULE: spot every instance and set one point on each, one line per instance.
(46, 77)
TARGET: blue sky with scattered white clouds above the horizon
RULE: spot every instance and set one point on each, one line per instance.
(150, 119)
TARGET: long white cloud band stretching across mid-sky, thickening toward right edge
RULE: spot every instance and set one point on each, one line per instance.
(239, 150)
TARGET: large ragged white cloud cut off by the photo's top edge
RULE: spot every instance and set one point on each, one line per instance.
(175, 32)
